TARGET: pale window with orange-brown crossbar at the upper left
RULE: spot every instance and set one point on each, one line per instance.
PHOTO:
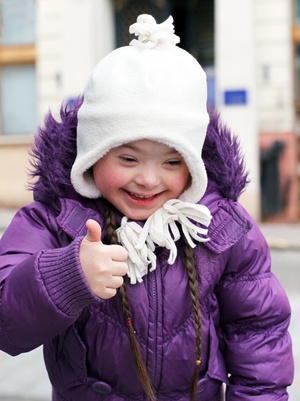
(18, 99)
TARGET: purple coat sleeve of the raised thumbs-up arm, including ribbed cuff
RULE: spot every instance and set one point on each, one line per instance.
(42, 287)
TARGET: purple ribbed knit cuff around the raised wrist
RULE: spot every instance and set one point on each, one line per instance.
(64, 280)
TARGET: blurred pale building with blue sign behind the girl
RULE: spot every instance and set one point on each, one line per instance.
(250, 51)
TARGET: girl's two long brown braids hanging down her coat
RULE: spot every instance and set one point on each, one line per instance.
(141, 370)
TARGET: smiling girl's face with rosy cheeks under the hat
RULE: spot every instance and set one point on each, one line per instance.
(139, 177)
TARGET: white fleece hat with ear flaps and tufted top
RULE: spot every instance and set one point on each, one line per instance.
(151, 90)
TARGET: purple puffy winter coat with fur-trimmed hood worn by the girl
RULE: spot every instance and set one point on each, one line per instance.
(45, 298)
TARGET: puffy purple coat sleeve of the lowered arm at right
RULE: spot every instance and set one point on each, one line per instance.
(255, 315)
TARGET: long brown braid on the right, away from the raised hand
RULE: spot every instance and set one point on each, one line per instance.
(194, 292)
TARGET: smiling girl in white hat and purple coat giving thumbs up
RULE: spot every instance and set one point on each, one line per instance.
(135, 266)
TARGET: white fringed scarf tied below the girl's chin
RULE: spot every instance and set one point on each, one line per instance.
(160, 229)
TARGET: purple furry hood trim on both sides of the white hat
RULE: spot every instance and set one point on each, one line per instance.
(54, 151)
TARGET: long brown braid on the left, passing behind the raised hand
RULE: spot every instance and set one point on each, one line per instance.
(141, 370)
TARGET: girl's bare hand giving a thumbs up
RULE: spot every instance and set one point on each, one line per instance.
(103, 265)
